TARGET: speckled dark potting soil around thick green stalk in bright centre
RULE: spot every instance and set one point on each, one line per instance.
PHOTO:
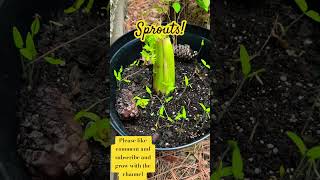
(148, 122)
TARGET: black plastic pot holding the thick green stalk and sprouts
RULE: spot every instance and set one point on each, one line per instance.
(127, 49)
